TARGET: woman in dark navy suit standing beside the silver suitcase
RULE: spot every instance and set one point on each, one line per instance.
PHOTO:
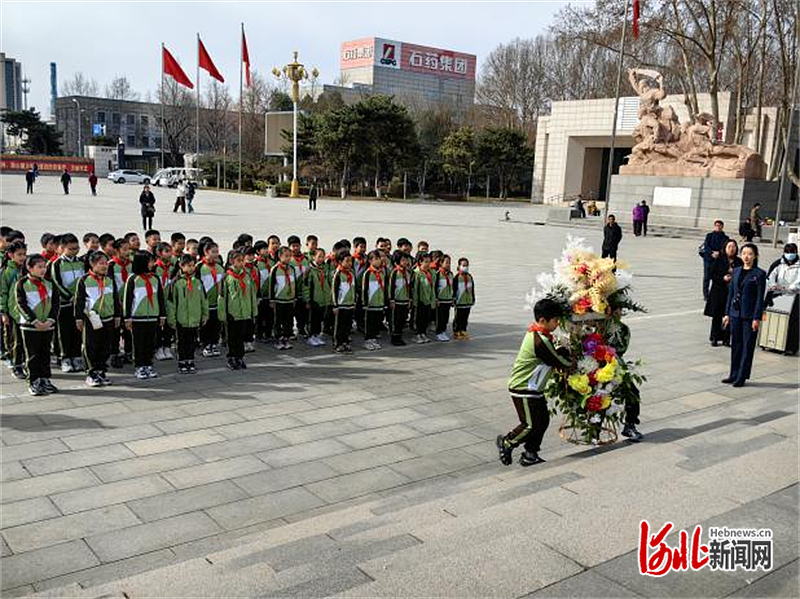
(743, 313)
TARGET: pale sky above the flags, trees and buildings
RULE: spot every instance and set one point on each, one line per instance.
(109, 38)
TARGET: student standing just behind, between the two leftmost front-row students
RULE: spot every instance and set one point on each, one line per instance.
(65, 271)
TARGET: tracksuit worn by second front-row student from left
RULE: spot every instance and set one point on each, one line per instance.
(97, 294)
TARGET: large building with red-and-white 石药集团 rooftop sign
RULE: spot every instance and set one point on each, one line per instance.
(417, 76)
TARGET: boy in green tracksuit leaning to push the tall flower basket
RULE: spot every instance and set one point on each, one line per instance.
(535, 362)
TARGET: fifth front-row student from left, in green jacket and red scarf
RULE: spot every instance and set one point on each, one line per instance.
(237, 307)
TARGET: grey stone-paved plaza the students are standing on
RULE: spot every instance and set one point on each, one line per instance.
(375, 475)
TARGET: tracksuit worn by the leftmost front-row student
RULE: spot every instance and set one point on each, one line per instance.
(36, 300)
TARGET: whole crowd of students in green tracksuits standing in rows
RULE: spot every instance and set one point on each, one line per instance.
(119, 302)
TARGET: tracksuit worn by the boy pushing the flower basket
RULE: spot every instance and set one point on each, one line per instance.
(535, 362)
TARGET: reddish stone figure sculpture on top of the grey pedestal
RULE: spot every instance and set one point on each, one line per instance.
(664, 147)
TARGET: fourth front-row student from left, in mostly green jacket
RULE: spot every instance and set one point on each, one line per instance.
(187, 311)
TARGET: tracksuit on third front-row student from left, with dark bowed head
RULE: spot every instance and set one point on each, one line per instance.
(144, 304)
